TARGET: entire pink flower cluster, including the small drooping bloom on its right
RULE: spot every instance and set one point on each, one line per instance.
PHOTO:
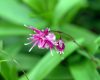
(45, 39)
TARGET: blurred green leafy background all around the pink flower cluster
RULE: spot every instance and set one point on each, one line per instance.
(78, 18)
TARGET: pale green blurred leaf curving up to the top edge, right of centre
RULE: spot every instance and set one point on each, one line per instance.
(64, 6)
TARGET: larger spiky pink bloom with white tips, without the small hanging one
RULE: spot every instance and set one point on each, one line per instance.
(43, 39)
